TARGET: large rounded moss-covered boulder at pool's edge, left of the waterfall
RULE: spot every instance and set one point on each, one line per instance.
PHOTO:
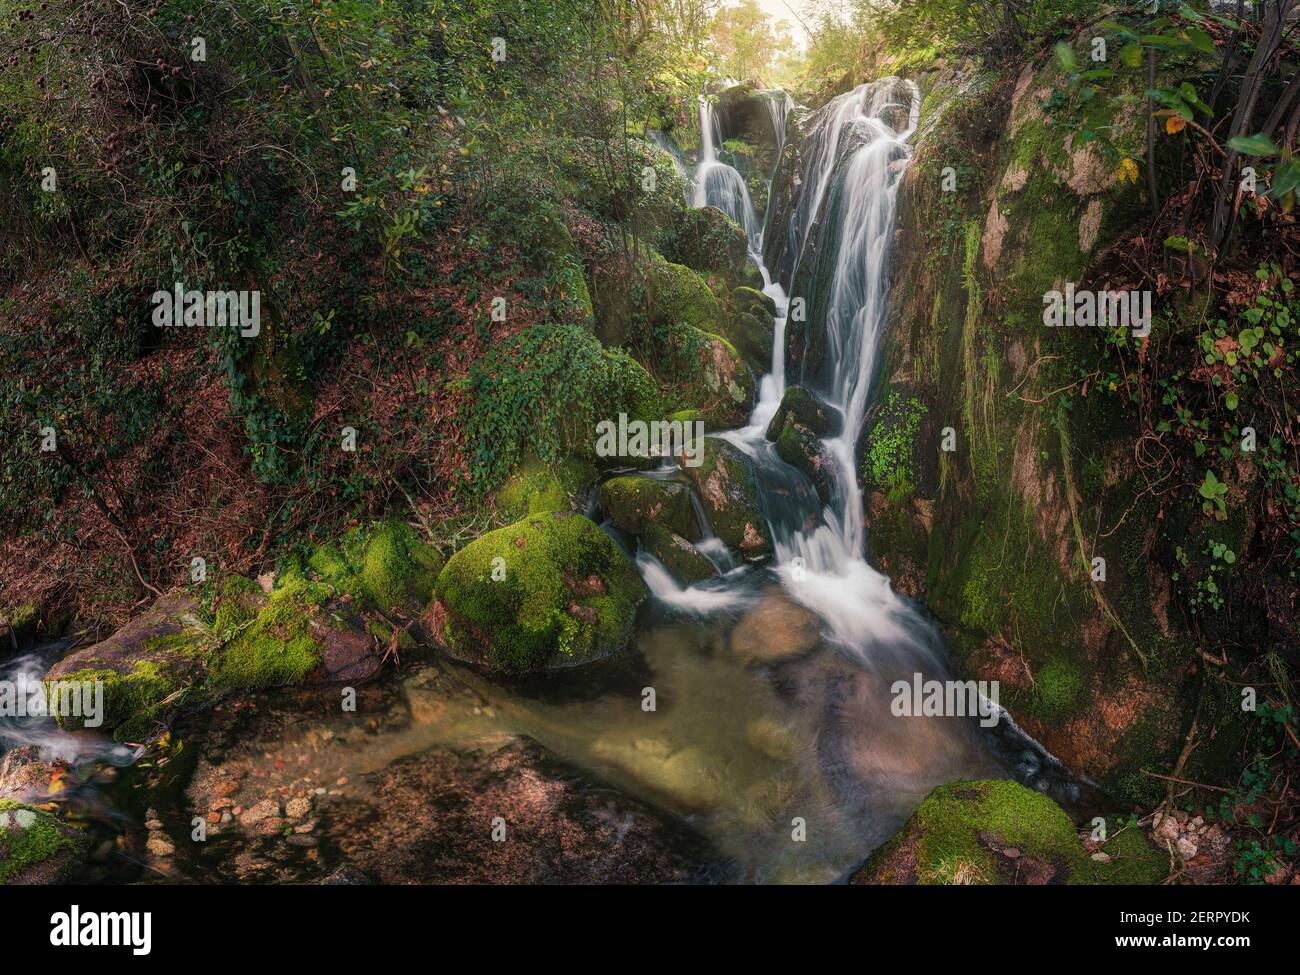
(551, 591)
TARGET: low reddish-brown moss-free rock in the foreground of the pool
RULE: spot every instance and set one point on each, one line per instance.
(430, 820)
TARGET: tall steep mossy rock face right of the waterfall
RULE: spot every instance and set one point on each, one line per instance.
(1022, 476)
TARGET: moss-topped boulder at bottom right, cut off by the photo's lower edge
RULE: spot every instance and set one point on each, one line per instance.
(1000, 833)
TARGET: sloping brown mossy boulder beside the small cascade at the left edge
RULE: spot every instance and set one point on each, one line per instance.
(144, 669)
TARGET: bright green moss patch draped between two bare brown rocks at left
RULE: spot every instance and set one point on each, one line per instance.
(278, 648)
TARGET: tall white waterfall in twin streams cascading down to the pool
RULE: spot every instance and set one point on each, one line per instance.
(853, 158)
